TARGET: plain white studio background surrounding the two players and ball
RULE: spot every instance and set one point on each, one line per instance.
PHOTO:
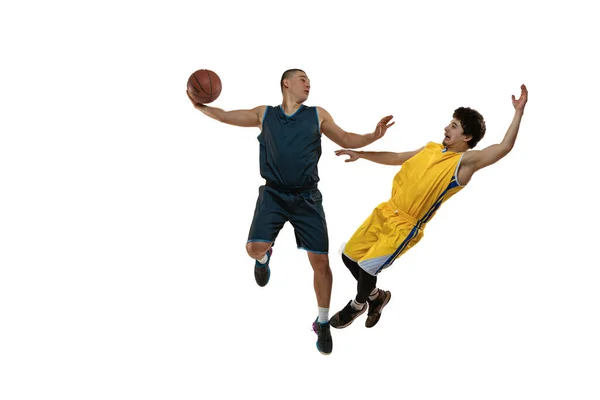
(124, 211)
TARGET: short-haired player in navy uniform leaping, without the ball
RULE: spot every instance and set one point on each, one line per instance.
(290, 148)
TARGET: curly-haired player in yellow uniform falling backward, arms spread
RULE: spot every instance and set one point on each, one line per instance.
(429, 176)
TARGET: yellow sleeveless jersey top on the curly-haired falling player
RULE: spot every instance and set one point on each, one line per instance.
(425, 181)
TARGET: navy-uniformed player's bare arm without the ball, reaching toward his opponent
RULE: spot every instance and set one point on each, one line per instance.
(347, 139)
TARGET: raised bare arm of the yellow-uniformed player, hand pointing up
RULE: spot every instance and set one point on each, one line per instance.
(478, 159)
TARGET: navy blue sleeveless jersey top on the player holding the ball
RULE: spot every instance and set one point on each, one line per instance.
(290, 147)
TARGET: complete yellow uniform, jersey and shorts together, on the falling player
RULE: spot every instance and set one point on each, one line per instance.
(423, 183)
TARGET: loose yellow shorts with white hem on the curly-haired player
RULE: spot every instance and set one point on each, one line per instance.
(384, 236)
